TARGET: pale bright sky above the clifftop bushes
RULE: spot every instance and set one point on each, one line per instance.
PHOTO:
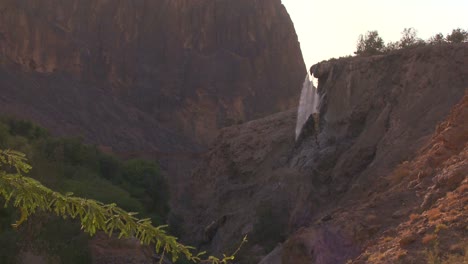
(330, 28)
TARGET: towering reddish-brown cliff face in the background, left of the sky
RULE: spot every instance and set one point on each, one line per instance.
(161, 66)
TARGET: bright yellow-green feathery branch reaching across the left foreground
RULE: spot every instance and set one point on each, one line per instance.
(31, 197)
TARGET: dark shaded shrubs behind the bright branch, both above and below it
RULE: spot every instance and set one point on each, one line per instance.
(67, 165)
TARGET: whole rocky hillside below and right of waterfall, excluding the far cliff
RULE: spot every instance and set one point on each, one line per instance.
(340, 191)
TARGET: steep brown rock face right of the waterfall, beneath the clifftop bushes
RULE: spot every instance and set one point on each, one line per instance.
(377, 111)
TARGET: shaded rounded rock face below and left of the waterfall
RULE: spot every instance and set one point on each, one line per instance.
(236, 176)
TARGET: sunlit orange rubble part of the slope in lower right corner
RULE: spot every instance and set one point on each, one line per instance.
(432, 222)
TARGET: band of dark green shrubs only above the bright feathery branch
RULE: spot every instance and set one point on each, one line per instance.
(76, 167)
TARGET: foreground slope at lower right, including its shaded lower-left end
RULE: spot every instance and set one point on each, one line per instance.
(417, 213)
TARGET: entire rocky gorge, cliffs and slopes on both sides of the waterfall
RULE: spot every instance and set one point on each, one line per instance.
(212, 91)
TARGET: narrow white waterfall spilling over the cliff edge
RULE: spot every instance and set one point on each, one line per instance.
(308, 104)
